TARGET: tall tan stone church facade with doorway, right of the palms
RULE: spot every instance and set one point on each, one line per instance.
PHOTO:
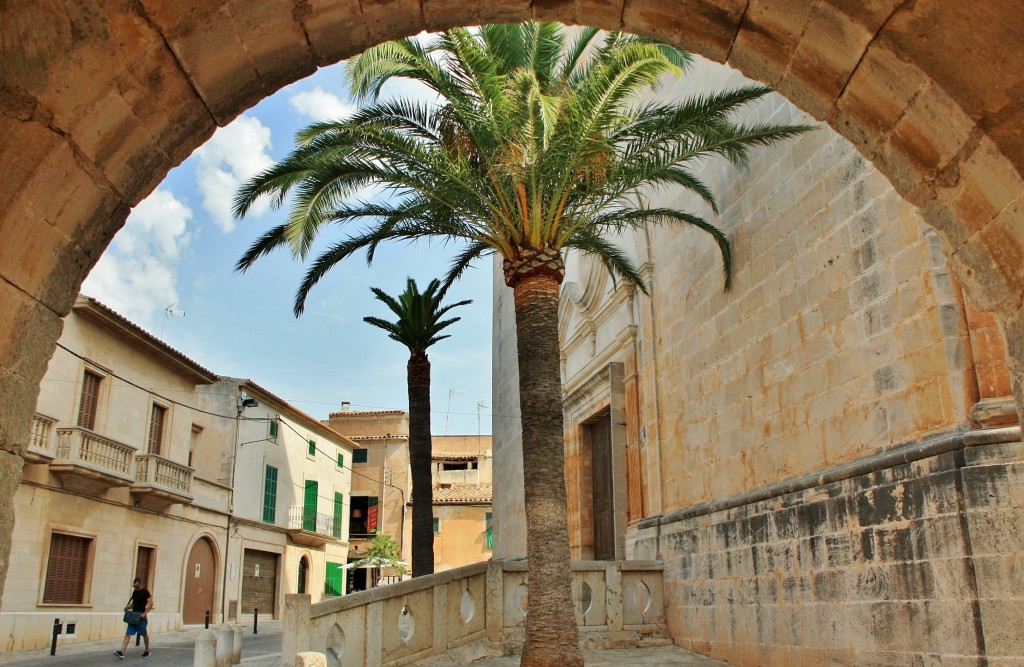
(827, 457)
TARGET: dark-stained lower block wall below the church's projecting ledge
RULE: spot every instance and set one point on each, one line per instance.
(879, 563)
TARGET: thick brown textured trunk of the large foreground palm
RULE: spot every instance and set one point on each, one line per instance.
(552, 636)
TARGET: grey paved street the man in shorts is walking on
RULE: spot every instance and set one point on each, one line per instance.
(169, 650)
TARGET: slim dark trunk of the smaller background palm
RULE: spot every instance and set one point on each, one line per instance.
(419, 454)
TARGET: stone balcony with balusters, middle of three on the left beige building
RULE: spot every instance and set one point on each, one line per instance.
(92, 464)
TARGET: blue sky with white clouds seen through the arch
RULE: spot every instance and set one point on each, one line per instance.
(181, 244)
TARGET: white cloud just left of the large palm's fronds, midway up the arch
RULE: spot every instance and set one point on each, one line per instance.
(234, 155)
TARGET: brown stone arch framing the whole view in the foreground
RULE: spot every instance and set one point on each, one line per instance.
(99, 101)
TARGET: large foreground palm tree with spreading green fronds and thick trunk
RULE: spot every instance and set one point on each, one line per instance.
(537, 146)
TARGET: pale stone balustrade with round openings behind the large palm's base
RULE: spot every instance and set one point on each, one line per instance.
(618, 604)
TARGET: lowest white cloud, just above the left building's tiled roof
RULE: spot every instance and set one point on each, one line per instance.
(138, 275)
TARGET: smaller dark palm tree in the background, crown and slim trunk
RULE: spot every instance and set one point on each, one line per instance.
(418, 327)
